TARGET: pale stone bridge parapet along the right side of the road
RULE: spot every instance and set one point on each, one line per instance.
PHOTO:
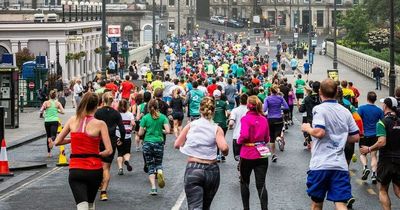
(361, 62)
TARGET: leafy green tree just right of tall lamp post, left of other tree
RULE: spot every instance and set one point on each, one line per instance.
(356, 23)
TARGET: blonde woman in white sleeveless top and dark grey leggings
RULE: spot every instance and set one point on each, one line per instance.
(199, 140)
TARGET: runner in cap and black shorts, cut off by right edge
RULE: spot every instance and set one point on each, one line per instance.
(388, 132)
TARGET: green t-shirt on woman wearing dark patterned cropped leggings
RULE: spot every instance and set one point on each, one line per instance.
(154, 127)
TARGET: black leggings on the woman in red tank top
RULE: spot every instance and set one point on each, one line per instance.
(85, 184)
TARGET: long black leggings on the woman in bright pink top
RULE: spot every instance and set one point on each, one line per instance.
(260, 167)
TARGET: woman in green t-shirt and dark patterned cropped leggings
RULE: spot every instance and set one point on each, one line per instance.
(153, 126)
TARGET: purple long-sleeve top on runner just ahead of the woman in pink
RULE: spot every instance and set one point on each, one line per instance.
(273, 104)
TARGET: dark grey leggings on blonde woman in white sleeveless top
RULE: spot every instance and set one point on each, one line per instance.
(201, 185)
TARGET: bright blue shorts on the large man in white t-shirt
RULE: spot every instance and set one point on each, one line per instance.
(332, 182)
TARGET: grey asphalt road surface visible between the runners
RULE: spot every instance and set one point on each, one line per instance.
(48, 188)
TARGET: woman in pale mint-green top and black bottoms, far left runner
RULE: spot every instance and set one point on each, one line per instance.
(51, 108)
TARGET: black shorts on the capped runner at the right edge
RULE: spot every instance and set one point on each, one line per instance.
(388, 171)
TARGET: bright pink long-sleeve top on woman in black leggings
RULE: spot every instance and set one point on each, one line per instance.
(254, 128)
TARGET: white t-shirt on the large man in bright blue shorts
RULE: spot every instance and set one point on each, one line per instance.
(328, 153)
